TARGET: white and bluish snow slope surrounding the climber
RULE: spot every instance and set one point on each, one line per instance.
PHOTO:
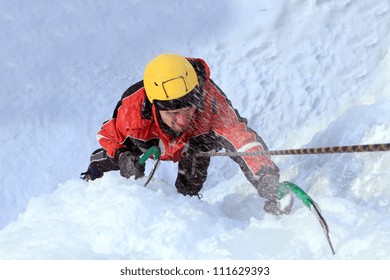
(305, 73)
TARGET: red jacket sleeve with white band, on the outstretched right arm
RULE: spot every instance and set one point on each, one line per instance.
(237, 136)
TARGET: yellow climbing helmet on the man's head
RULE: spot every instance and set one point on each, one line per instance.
(169, 77)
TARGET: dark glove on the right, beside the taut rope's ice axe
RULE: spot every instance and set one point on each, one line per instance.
(268, 187)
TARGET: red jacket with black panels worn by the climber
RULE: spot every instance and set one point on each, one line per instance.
(135, 121)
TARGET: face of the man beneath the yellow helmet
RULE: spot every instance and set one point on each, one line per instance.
(178, 120)
